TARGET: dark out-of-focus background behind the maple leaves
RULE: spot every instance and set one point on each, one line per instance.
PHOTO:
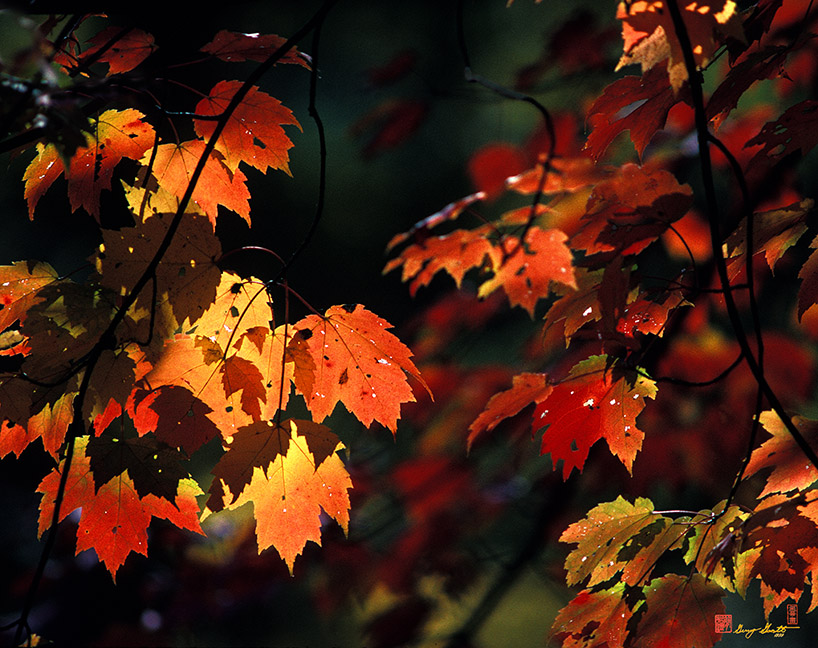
(440, 542)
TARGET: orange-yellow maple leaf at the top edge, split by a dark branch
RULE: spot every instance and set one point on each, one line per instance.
(650, 37)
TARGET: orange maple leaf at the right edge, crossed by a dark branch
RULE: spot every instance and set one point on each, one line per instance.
(790, 469)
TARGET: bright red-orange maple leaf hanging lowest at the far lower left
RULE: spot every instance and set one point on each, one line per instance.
(114, 518)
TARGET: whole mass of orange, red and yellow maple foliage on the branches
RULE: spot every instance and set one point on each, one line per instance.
(643, 278)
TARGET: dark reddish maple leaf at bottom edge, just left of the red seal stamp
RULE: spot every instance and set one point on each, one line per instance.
(679, 611)
